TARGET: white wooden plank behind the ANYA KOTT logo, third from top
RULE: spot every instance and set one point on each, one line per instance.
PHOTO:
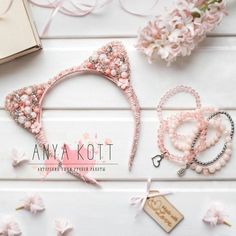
(70, 126)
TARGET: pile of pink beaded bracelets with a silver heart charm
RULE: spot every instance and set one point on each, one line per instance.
(196, 142)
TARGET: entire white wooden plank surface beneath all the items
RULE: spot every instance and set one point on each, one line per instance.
(80, 105)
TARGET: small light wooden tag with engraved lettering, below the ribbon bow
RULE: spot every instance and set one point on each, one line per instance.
(163, 212)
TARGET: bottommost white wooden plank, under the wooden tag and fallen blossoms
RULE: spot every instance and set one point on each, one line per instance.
(107, 211)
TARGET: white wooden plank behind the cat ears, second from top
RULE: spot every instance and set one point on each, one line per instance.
(209, 70)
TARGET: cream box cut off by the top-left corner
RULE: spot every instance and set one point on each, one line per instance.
(18, 35)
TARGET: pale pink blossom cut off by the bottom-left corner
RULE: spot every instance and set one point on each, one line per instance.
(10, 227)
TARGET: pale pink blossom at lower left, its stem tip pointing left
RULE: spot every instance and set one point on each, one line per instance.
(33, 203)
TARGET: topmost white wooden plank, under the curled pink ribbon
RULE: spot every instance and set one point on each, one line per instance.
(112, 21)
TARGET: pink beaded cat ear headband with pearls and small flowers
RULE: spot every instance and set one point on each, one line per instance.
(111, 61)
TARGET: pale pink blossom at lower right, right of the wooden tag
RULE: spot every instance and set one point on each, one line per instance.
(215, 214)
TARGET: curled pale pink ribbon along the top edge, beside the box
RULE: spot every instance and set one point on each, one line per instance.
(79, 9)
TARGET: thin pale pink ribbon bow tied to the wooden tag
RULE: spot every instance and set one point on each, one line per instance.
(141, 200)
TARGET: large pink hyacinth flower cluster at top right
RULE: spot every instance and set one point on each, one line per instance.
(181, 30)
